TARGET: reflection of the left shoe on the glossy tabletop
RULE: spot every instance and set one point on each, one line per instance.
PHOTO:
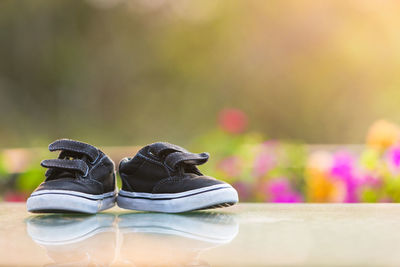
(75, 240)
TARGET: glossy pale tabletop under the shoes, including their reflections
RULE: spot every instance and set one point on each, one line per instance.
(243, 235)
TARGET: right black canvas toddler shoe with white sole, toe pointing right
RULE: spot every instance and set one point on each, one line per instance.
(163, 177)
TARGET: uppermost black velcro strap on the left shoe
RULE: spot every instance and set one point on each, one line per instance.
(75, 146)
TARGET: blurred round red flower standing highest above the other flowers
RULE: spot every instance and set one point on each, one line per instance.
(233, 120)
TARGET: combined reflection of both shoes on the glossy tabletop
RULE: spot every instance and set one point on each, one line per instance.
(134, 239)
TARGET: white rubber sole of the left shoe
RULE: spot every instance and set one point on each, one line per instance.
(49, 201)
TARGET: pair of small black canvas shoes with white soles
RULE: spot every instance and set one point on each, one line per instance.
(161, 177)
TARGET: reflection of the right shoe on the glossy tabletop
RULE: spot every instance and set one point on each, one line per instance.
(159, 239)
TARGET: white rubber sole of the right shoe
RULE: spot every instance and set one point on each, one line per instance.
(221, 195)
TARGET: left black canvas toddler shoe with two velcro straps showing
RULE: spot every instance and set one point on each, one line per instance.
(82, 179)
